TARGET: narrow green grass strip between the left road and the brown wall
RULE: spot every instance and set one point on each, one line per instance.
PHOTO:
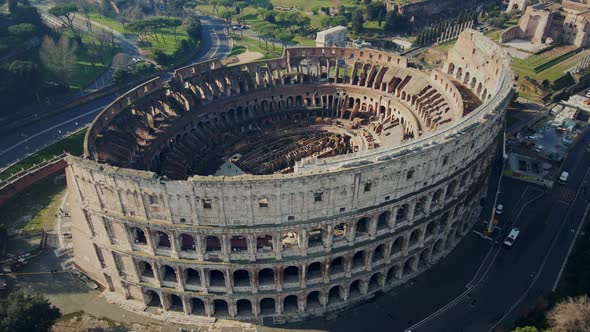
(72, 145)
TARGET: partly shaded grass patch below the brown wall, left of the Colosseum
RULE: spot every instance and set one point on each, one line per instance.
(36, 206)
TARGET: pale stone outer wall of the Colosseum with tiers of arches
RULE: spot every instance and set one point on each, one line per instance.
(300, 244)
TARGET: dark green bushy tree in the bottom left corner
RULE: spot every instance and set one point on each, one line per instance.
(23, 312)
